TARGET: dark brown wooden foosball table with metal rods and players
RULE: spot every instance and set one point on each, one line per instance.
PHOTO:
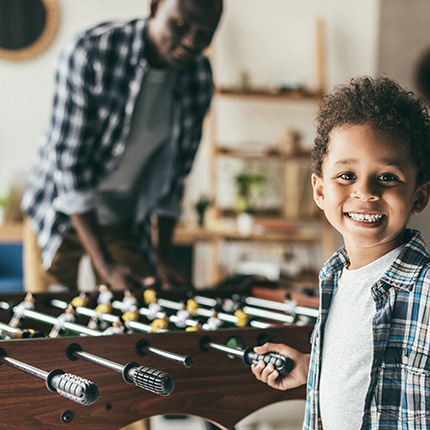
(105, 360)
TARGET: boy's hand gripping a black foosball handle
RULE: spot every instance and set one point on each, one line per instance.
(269, 375)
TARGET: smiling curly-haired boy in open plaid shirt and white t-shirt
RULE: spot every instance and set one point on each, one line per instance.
(370, 361)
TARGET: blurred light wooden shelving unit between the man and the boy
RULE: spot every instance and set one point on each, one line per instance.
(270, 225)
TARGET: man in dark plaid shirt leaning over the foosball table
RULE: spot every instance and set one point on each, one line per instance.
(126, 123)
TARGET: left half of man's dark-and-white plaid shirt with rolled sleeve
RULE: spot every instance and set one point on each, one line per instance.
(95, 89)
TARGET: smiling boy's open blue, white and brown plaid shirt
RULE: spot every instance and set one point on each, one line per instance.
(398, 396)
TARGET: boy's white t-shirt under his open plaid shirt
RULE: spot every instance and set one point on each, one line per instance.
(348, 346)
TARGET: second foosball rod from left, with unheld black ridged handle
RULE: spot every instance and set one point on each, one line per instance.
(153, 380)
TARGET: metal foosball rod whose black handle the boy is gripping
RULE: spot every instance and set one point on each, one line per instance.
(282, 364)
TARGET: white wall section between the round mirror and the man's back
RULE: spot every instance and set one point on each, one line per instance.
(26, 87)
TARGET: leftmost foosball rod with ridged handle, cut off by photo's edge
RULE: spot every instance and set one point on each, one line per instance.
(70, 386)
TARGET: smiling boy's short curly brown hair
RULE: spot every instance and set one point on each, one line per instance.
(384, 105)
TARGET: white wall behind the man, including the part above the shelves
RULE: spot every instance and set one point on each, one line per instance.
(270, 38)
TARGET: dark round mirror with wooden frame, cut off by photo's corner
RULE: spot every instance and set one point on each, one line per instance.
(26, 27)
